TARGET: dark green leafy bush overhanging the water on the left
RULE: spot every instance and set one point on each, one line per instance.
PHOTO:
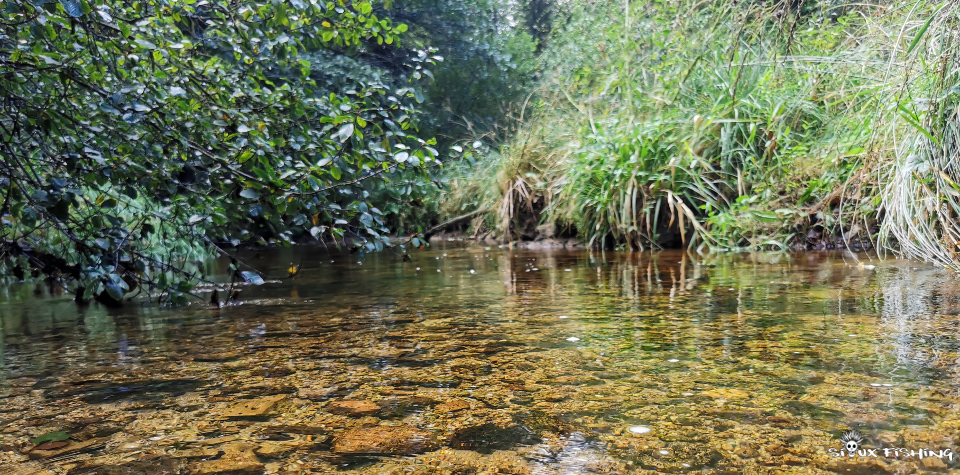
(136, 134)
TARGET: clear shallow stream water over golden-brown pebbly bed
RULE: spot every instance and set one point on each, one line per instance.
(474, 360)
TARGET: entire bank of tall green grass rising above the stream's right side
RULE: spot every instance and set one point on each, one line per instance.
(742, 126)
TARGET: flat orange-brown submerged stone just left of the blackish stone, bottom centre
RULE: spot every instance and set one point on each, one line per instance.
(385, 440)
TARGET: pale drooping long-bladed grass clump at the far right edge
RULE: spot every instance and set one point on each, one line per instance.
(921, 194)
